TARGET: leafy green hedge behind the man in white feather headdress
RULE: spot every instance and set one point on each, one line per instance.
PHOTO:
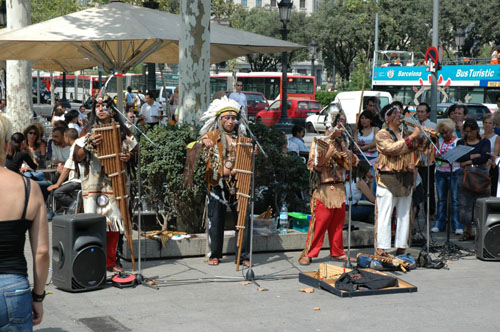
(279, 178)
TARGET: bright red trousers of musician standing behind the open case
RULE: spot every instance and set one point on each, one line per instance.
(331, 220)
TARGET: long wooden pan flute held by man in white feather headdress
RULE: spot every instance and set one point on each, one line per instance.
(243, 169)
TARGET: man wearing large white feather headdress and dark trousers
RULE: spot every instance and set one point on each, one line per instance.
(219, 136)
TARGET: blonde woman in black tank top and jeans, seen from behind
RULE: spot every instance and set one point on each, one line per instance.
(22, 209)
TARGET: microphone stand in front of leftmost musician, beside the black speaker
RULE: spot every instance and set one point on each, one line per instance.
(140, 279)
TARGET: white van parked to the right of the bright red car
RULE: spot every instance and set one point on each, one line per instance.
(350, 102)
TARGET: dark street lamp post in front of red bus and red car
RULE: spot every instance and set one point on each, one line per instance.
(285, 8)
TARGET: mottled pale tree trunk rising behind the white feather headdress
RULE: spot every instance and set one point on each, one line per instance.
(194, 60)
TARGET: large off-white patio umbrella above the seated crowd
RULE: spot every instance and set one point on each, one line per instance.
(118, 36)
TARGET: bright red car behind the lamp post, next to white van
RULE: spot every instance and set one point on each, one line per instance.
(298, 111)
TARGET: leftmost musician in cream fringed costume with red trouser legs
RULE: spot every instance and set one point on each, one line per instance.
(97, 190)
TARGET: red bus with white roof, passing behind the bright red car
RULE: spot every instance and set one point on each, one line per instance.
(268, 83)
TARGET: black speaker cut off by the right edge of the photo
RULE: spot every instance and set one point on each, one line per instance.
(487, 218)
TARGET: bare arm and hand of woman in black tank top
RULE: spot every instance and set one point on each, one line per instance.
(39, 240)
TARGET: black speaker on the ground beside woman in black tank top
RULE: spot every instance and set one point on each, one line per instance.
(79, 251)
